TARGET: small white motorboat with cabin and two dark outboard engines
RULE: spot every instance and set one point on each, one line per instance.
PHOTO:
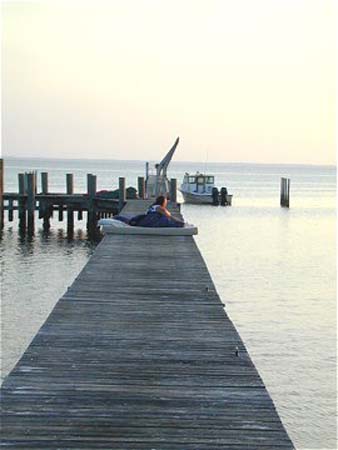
(200, 189)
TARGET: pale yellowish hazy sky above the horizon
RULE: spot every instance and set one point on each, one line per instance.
(237, 80)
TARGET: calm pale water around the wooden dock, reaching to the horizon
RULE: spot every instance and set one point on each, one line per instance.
(274, 268)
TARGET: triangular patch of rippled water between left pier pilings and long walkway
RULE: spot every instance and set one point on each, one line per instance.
(36, 271)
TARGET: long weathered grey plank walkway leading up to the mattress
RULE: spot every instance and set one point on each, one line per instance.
(139, 354)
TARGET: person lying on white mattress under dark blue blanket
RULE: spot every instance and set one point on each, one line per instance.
(156, 216)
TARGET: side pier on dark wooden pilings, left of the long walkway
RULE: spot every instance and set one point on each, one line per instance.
(95, 204)
